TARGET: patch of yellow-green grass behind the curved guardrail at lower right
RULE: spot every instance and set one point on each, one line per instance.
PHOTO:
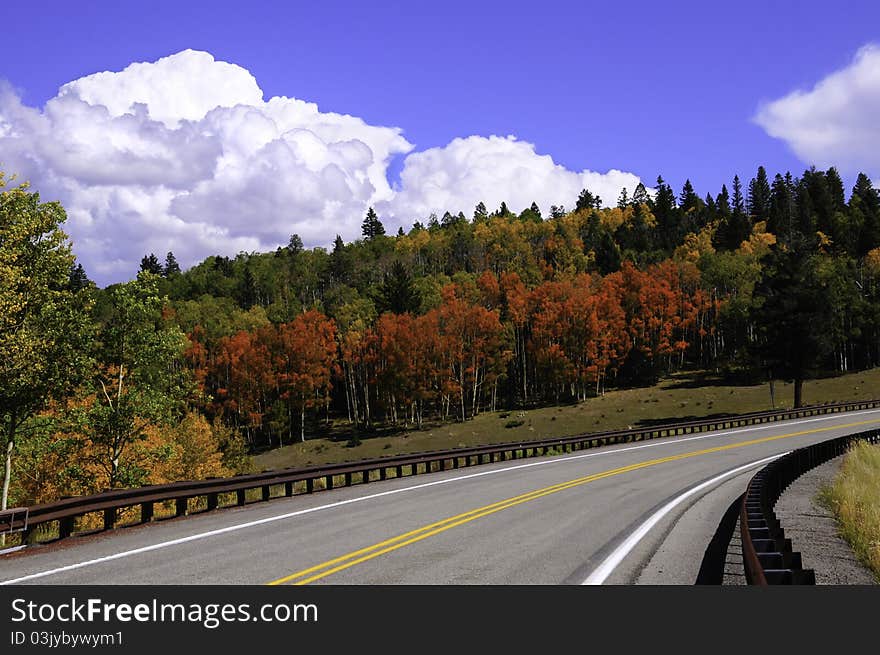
(854, 499)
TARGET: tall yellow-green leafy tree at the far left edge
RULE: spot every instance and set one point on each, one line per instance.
(44, 326)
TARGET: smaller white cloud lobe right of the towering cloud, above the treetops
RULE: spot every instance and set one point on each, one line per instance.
(490, 170)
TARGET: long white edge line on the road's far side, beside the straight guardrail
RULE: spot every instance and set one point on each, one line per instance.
(242, 526)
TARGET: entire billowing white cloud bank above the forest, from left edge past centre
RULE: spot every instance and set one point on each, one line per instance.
(184, 154)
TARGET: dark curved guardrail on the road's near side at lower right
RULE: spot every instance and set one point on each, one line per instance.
(768, 557)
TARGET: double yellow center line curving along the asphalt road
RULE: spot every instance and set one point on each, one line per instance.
(343, 562)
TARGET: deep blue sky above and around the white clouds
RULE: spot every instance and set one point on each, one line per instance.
(645, 88)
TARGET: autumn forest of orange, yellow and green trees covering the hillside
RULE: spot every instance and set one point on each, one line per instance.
(181, 374)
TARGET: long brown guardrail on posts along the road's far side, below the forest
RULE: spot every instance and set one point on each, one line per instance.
(225, 492)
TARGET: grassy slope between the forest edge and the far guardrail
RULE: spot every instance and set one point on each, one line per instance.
(678, 398)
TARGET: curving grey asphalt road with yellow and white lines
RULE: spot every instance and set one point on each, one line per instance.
(628, 514)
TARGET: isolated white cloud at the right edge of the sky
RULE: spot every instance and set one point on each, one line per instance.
(834, 123)
